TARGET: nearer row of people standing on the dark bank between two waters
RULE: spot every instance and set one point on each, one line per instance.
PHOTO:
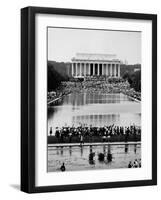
(105, 132)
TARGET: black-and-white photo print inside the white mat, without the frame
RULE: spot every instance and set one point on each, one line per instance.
(93, 99)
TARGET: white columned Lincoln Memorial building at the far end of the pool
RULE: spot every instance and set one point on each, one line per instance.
(84, 64)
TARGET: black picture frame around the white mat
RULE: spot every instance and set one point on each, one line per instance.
(28, 98)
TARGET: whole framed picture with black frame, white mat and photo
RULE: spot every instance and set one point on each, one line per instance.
(89, 99)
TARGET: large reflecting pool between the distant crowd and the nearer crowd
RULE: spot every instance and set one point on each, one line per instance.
(86, 109)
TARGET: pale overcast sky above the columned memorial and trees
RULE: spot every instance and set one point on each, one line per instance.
(64, 43)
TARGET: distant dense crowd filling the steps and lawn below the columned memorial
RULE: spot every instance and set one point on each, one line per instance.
(95, 85)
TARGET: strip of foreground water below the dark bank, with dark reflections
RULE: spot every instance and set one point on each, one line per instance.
(90, 157)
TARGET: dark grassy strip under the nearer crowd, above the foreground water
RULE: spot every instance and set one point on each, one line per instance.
(88, 139)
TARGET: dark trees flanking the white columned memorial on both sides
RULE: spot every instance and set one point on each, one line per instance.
(61, 71)
